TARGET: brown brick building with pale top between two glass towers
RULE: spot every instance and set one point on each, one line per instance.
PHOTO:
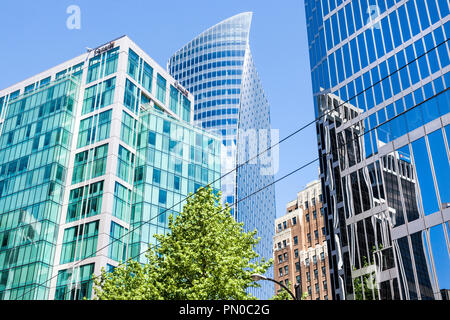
(300, 247)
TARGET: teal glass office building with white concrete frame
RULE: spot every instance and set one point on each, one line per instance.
(89, 150)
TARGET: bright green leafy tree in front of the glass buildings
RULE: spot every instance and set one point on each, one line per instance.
(206, 255)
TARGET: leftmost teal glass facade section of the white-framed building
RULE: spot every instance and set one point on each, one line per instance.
(35, 147)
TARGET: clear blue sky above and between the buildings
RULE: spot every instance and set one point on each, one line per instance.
(35, 38)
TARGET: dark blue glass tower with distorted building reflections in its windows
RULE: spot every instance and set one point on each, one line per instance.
(380, 78)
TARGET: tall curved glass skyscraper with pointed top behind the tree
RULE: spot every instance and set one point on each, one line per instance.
(218, 69)
